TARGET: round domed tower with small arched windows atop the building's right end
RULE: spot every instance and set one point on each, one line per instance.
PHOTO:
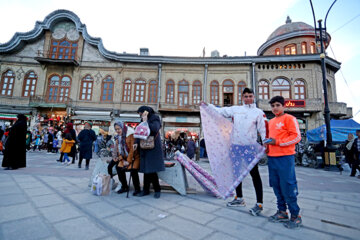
(292, 38)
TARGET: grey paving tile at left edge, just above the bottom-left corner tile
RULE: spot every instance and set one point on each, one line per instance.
(15, 212)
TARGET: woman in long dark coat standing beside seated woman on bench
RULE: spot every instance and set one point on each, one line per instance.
(151, 160)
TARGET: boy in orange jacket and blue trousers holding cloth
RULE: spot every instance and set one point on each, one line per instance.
(284, 133)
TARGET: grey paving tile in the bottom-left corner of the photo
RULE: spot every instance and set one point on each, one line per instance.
(29, 228)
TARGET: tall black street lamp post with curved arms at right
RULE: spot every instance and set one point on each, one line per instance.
(321, 36)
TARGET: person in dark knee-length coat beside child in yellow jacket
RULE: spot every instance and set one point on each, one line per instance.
(86, 137)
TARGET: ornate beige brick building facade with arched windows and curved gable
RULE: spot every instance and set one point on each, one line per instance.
(58, 72)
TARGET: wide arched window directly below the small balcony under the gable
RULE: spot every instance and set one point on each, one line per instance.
(59, 88)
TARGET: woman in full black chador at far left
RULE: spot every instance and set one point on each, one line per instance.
(15, 146)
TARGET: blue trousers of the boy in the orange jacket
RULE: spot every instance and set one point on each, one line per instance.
(282, 179)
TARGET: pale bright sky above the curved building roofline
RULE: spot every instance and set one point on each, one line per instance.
(186, 27)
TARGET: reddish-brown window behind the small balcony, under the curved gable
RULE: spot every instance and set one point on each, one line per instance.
(63, 49)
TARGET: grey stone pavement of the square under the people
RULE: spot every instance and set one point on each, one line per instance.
(47, 200)
